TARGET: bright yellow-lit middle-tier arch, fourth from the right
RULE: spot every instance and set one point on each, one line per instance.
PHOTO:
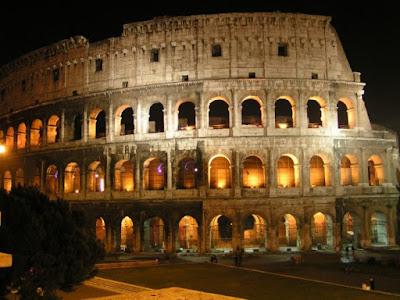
(288, 172)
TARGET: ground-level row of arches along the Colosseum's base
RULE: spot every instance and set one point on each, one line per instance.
(253, 237)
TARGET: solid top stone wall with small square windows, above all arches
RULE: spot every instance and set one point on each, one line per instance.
(174, 49)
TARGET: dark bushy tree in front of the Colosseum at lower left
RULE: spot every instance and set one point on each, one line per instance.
(50, 245)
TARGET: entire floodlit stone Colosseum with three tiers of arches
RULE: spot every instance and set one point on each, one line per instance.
(204, 133)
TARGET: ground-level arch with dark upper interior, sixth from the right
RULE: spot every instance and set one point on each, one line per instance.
(221, 234)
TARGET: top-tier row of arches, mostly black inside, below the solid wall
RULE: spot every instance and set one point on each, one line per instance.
(218, 118)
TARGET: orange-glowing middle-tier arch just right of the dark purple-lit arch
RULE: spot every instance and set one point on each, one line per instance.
(219, 173)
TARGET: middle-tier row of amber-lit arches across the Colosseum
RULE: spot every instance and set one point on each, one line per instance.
(187, 177)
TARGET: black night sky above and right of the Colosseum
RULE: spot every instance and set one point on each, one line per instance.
(369, 34)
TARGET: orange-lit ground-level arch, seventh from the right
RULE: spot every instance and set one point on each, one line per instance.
(188, 234)
